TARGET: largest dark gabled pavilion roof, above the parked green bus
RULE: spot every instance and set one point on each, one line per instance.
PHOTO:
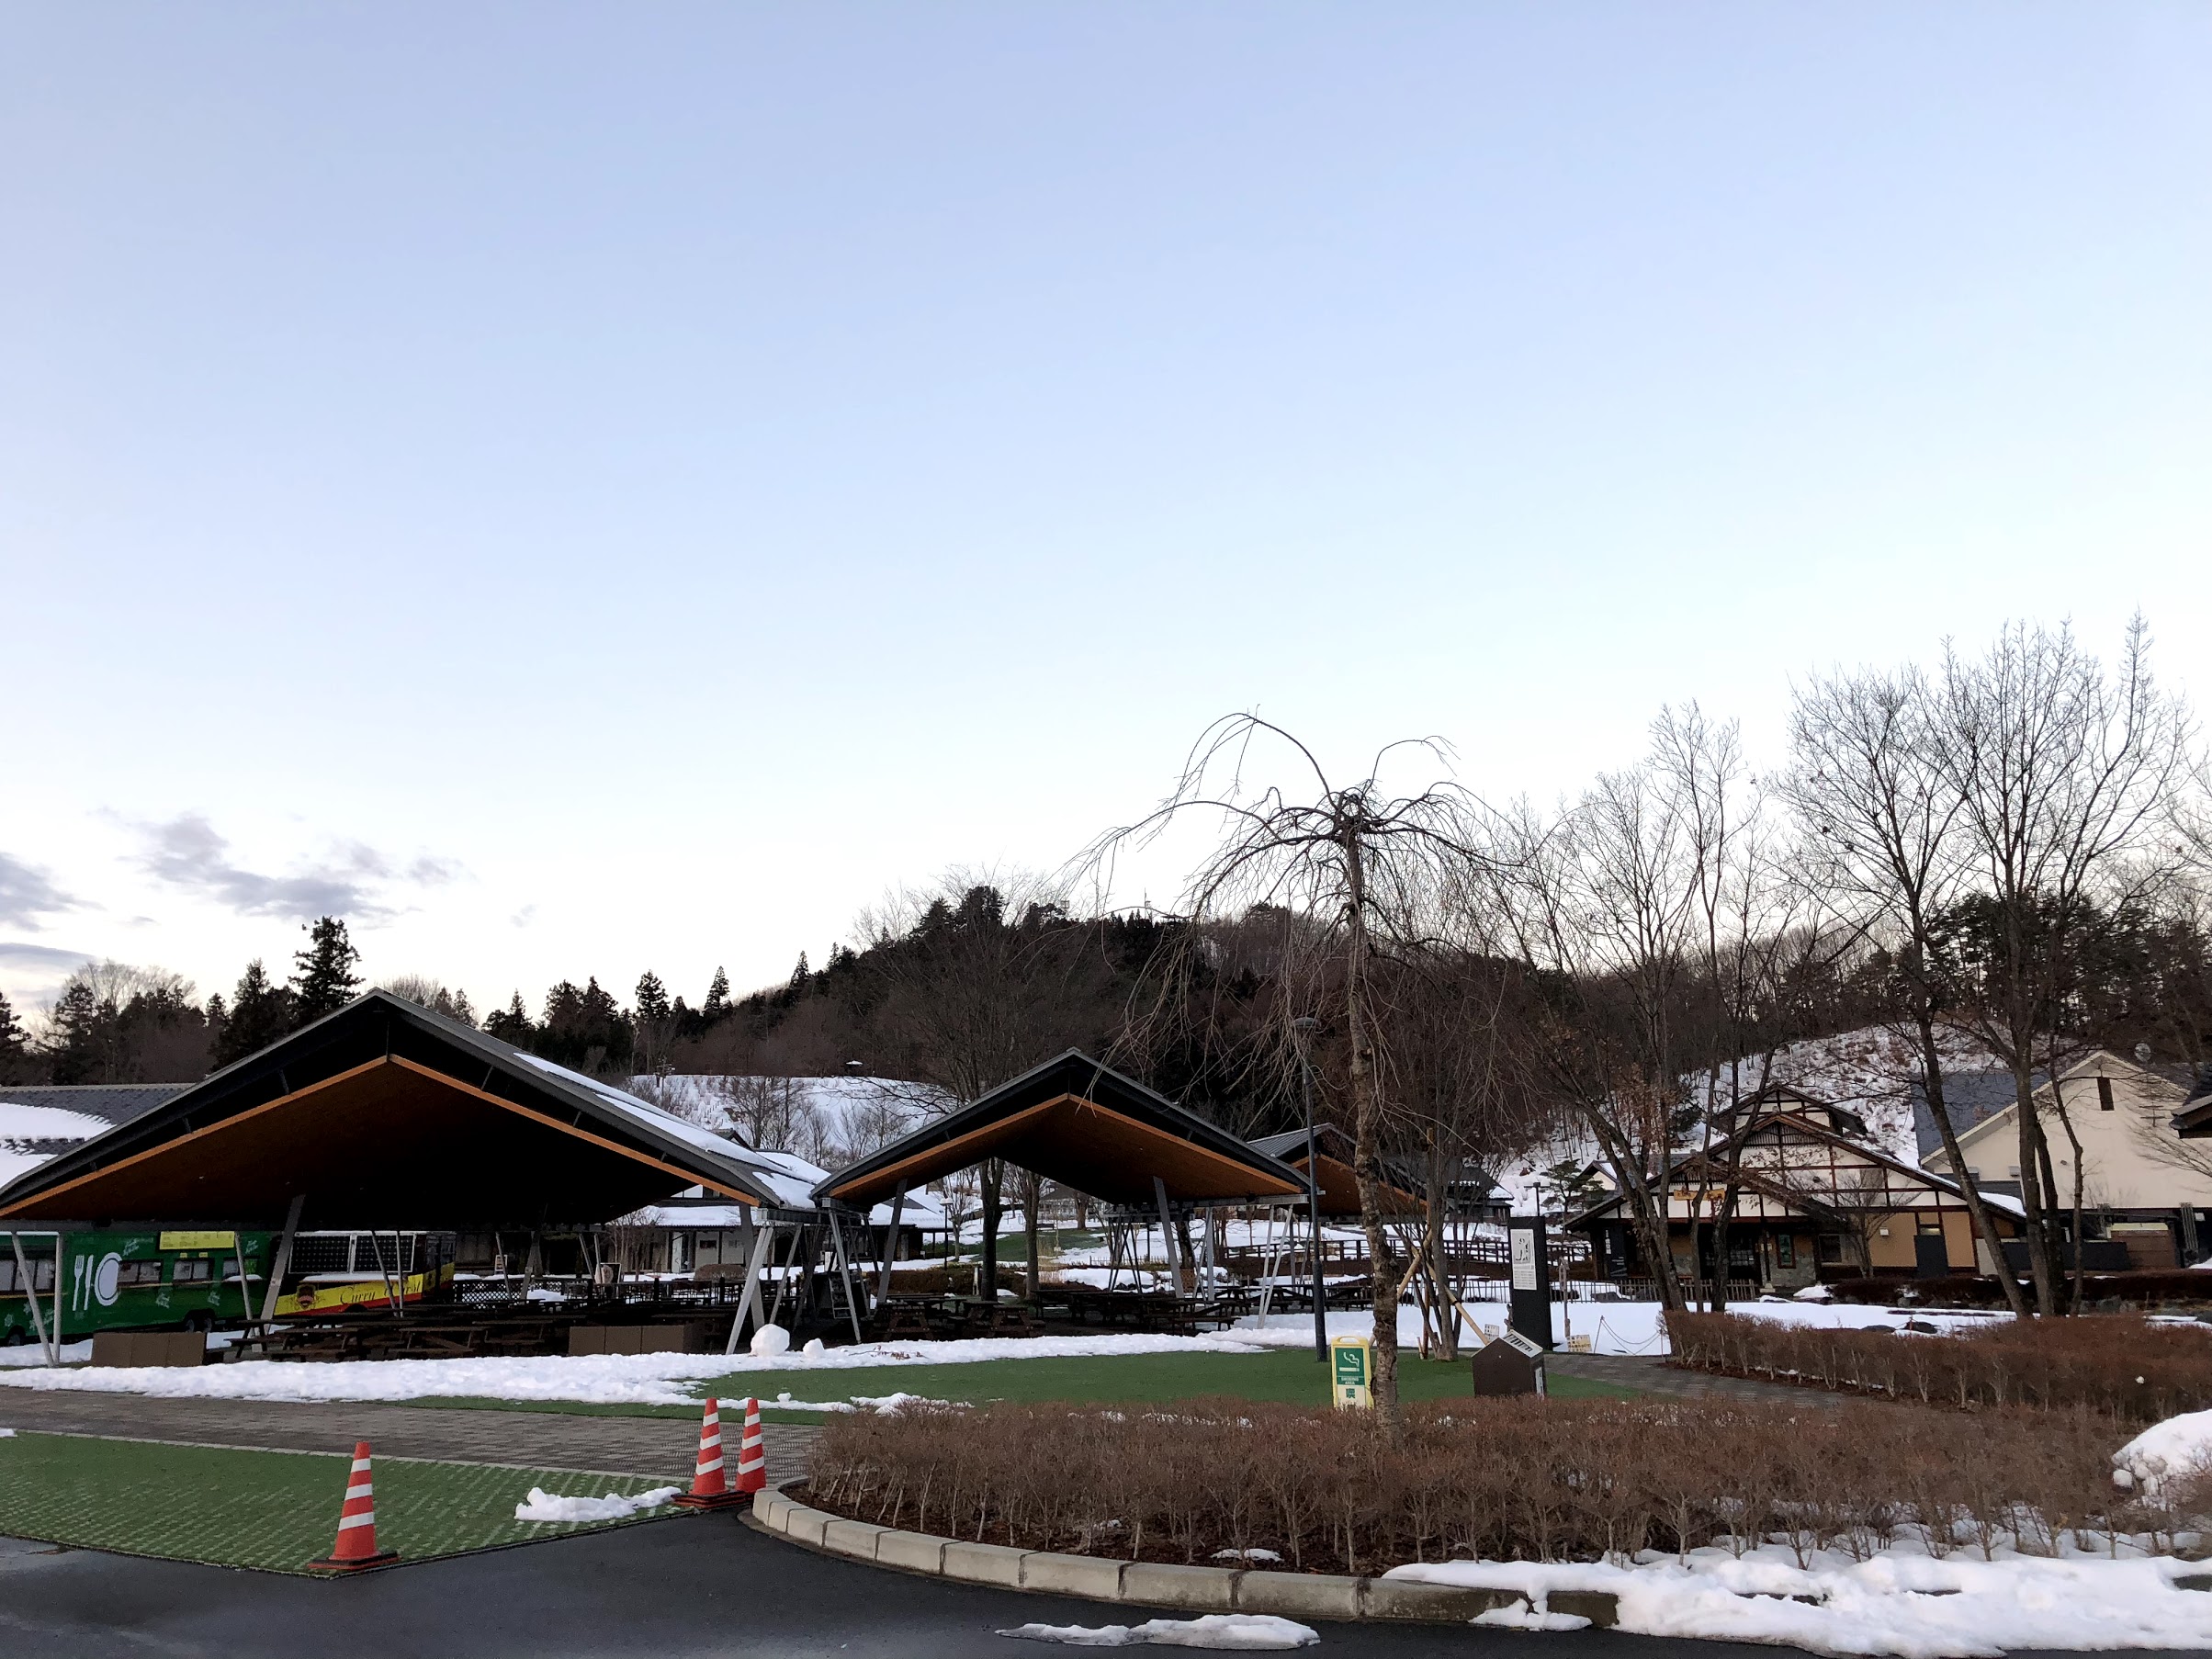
(576, 1129)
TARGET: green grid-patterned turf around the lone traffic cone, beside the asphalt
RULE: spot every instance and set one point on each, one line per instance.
(267, 1510)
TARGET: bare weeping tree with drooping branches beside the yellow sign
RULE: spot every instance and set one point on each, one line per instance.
(1364, 873)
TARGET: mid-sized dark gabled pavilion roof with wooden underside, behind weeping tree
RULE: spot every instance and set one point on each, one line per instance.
(1078, 1123)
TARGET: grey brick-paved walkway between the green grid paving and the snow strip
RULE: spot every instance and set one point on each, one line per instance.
(658, 1448)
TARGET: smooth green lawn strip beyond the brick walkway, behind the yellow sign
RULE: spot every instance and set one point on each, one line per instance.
(1284, 1375)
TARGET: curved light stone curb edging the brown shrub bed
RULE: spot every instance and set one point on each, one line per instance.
(1149, 1585)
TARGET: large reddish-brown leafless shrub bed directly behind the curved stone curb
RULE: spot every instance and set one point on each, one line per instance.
(1481, 1479)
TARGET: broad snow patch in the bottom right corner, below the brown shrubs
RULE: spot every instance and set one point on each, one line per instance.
(1899, 1603)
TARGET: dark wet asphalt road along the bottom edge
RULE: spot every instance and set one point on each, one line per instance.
(671, 1589)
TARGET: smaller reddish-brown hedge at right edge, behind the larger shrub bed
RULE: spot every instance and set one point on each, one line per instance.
(2114, 1364)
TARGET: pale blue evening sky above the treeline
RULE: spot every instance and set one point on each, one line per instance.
(589, 490)
